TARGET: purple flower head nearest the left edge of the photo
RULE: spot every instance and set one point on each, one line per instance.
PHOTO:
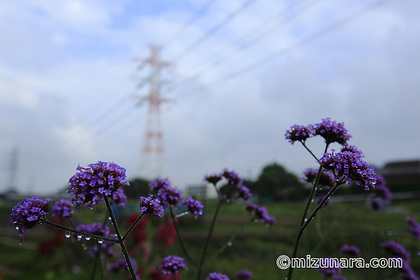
(29, 213)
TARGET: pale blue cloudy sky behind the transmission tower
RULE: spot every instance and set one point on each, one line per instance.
(242, 73)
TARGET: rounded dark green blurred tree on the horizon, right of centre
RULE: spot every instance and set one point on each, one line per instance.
(276, 183)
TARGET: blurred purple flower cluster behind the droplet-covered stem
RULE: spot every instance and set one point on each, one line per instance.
(96, 246)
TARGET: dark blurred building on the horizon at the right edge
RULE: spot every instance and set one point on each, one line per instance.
(402, 175)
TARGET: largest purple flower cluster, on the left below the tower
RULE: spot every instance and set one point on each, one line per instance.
(91, 183)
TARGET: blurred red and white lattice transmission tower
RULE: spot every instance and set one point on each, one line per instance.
(153, 141)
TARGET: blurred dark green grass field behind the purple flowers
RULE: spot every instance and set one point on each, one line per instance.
(237, 243)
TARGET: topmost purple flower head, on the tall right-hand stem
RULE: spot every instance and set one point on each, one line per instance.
(332, 131)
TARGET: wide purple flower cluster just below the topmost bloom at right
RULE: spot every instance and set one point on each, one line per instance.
(349, 166)
